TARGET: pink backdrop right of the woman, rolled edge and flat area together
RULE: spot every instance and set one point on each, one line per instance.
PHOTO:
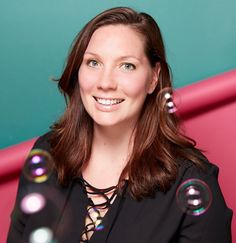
(208, 109)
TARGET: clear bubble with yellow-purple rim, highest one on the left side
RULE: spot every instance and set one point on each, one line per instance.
(38, 166)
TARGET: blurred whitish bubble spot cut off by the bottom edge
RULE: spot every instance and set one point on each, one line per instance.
(41, 235)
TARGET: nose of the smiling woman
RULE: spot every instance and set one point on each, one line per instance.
(107, 80)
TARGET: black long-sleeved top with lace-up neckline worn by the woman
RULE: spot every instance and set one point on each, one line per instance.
(150, 220)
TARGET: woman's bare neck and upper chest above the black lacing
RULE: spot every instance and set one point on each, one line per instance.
(110, 153)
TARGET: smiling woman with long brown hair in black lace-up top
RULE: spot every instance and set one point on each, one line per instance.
(120, 158)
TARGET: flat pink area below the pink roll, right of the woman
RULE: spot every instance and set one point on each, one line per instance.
(215, 133)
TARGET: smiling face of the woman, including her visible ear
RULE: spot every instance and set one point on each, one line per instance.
(115, 76)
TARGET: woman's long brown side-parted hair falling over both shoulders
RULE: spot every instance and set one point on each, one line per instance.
(157, 141)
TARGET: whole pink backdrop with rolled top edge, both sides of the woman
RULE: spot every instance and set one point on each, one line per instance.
(208, 109)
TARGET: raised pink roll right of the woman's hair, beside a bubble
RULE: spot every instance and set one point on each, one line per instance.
(208, 93)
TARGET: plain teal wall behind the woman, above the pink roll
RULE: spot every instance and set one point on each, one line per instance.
(35, 36)
